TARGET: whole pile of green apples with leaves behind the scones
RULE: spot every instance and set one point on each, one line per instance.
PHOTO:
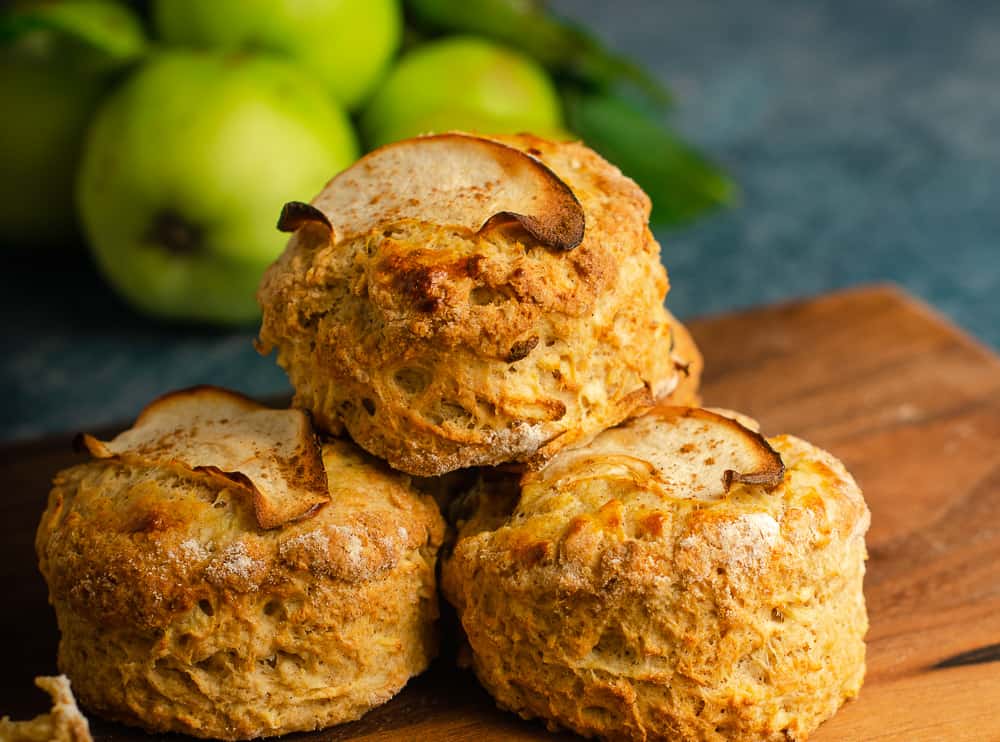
(171, 137)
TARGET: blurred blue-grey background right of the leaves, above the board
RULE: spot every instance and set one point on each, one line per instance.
(865, 136)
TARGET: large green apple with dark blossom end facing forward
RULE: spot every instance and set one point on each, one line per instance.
(185, 171)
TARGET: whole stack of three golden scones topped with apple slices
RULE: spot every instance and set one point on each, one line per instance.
(623, 563)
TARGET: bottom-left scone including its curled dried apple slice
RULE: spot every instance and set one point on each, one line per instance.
(207, 581)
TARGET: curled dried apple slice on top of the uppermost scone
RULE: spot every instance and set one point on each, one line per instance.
(448, 179)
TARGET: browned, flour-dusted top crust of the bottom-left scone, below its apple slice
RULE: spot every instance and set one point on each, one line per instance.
(127, 541)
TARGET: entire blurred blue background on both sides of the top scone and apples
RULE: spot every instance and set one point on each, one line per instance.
(865, 137)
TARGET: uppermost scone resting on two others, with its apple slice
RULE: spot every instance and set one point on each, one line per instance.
(455, 301)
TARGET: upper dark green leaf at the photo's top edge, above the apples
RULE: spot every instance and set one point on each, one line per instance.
(563, 47)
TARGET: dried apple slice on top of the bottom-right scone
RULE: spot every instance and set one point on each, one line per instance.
(693, 452)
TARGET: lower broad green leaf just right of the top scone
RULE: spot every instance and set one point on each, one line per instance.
(682, 182)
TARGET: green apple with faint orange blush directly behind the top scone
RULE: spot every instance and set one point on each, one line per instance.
(464, 83)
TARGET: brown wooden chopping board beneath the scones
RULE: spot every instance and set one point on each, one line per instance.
(912, 406)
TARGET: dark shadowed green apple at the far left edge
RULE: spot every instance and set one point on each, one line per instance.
(56, 60)
